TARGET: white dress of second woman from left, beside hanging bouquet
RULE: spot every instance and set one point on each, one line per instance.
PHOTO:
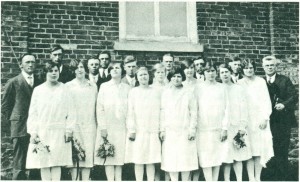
(83, 117)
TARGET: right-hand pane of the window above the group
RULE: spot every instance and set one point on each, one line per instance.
(173, 19)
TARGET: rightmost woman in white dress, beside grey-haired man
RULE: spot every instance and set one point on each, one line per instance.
(259, 108)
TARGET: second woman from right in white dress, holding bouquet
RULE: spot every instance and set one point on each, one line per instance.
(238, 117)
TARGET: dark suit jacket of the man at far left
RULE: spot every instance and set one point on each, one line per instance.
(16, 102)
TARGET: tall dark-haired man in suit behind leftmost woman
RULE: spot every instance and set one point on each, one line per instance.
(56, 56)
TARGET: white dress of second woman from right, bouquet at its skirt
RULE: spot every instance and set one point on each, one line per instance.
(238, 116)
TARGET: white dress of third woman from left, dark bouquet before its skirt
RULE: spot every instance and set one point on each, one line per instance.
(111, 115)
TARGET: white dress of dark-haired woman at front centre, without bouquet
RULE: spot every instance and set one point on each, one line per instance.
(178, 119)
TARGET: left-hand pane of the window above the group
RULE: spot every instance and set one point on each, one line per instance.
(140, 18)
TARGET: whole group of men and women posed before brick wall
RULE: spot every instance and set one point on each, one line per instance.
(171, 118)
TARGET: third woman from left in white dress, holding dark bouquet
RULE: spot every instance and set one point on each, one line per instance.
(111, 119)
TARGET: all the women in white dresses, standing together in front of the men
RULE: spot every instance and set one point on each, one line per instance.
(182, 124)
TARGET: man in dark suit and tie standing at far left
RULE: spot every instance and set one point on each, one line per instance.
(15, 106)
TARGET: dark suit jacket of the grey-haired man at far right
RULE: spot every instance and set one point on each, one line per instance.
(283, 91)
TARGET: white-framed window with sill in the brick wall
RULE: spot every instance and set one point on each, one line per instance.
(158, 24)
